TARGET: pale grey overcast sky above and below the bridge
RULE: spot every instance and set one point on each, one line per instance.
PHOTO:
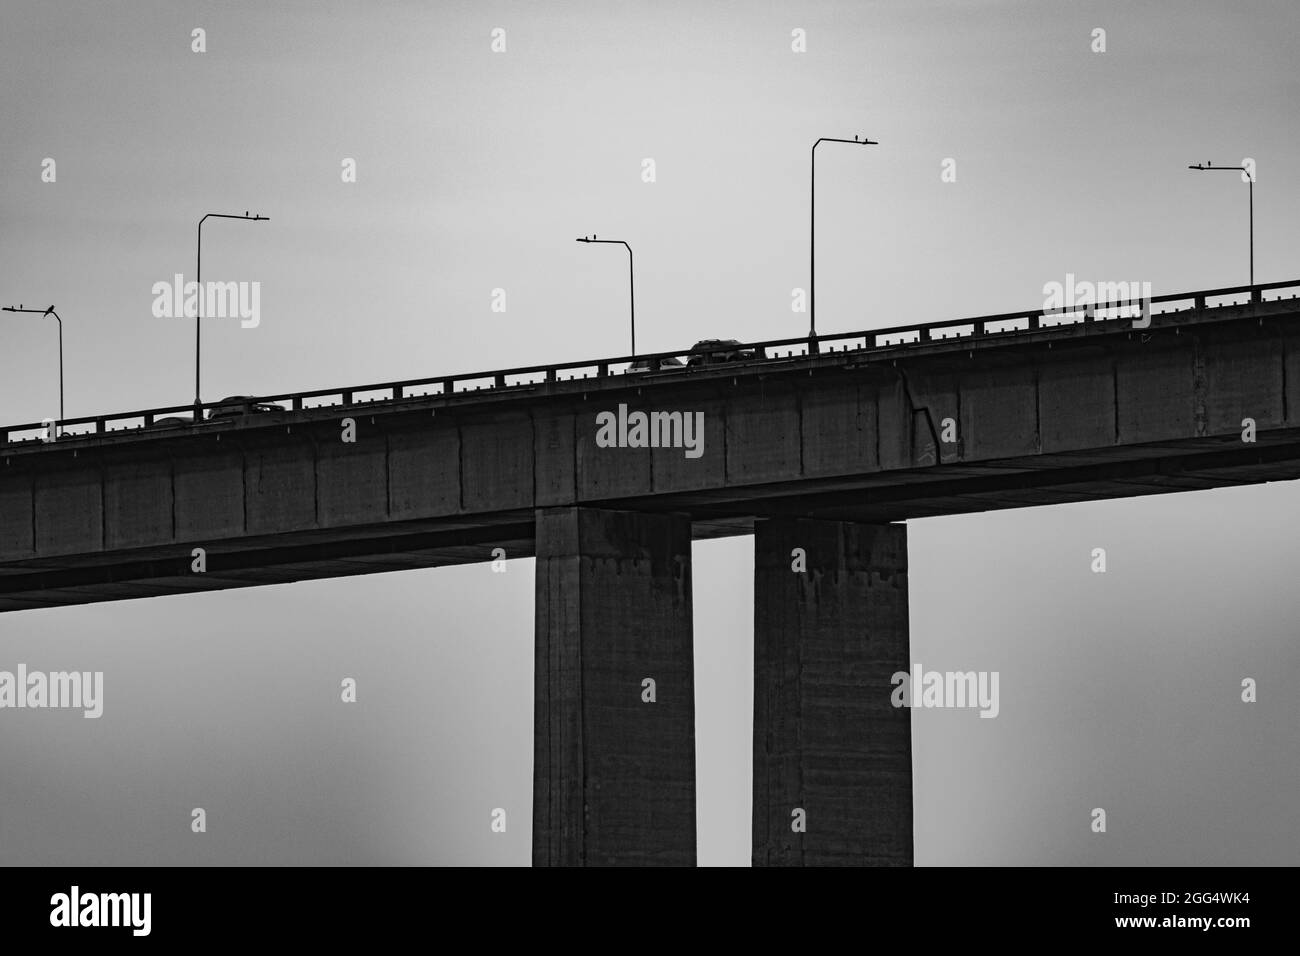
(475, 172)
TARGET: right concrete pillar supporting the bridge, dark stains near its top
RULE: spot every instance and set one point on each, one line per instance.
(826, 738)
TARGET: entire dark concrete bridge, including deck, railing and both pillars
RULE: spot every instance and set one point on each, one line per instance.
(817, 449)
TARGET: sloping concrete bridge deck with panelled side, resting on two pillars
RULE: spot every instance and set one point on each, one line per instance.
(1038, 416)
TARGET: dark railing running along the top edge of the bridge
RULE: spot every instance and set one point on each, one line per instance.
(873, 340)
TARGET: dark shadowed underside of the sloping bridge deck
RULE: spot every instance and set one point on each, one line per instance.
(947, 490)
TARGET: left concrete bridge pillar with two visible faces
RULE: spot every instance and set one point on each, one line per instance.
(614, 777)
